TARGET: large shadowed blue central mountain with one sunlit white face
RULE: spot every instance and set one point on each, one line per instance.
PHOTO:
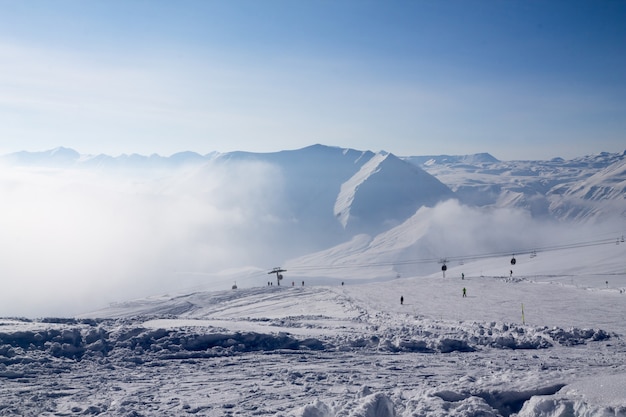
(347, 191)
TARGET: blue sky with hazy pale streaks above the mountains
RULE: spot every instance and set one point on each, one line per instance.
(519, 79)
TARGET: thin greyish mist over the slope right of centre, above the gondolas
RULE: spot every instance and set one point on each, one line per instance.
(458, 232)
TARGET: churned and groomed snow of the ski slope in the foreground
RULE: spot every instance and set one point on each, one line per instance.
(543, 337)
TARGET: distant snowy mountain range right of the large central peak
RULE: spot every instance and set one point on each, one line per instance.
(588, 188)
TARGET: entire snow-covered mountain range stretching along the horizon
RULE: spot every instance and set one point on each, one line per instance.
(370, 192)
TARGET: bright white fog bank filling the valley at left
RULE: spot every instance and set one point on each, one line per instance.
(73, 240)
